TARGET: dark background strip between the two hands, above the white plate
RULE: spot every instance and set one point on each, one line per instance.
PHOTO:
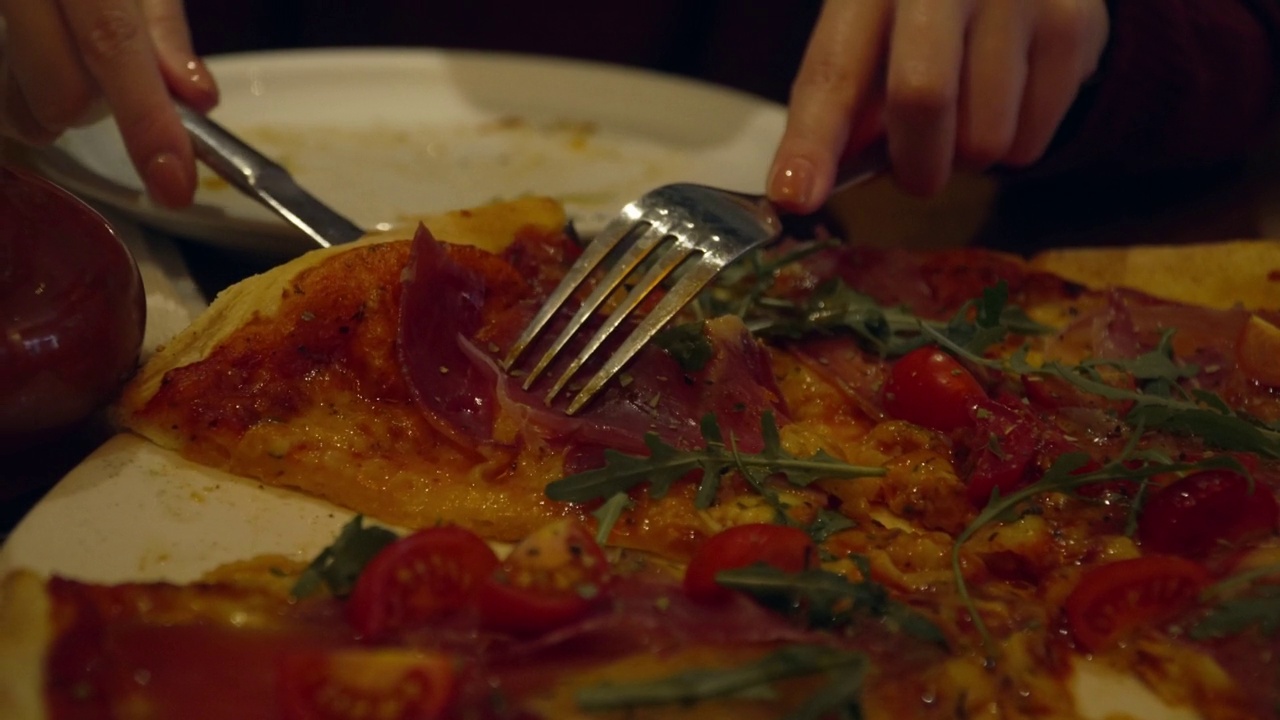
(753, 47)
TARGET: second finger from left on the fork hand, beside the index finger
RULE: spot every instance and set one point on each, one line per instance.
(924, 90)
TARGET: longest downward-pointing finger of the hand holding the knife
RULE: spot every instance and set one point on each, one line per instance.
(120, 54)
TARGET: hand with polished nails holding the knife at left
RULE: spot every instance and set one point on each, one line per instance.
(66, 62)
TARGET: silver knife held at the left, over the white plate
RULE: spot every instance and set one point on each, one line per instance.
(266, 181)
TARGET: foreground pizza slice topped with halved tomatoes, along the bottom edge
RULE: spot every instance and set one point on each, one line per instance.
(554, 631)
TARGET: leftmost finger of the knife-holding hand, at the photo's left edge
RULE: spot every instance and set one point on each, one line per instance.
(45, 65)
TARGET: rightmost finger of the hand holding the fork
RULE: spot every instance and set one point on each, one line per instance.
(1064, 52)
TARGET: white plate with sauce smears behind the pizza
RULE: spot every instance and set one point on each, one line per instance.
(390, 135)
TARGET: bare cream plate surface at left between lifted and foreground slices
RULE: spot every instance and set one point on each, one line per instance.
(134, 512)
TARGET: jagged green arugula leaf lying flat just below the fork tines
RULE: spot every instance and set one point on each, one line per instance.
(666, 464)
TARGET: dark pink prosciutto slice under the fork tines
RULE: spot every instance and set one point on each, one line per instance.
(461, 309)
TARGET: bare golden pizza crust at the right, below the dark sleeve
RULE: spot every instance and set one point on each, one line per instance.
(1214, 275)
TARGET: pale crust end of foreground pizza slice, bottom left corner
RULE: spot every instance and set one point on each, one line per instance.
(26, 634)
